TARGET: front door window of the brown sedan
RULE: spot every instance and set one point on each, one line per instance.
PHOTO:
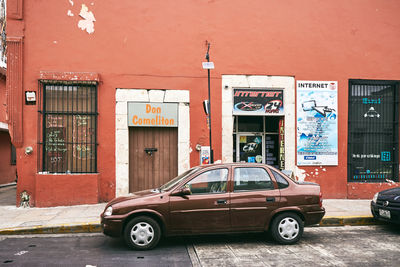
(209, 182)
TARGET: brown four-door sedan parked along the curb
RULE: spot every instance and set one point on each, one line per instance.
(219, 198)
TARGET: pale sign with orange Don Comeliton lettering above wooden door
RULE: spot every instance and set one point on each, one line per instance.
(152, 114)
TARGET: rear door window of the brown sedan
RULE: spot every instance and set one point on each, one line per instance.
(249, 179)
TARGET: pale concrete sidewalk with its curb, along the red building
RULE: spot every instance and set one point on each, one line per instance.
(85, 218)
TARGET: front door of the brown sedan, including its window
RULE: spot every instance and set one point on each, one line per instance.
(206, 209)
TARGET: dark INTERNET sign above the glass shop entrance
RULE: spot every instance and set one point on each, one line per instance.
(258, 101)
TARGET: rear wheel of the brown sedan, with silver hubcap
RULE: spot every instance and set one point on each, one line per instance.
(287, 228)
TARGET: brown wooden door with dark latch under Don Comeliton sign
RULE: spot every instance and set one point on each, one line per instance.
(152, 168)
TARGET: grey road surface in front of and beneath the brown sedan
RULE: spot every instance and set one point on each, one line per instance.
(320, 246)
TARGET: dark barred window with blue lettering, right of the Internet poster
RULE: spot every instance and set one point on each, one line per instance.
(373, 147)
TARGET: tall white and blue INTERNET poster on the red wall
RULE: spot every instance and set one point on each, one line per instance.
(317, 128)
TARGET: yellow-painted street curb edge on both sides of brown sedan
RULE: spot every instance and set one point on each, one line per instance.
(96, 227)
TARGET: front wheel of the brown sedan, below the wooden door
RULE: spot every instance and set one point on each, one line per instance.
(142, 233)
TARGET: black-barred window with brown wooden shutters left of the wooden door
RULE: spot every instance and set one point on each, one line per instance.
(69, 127)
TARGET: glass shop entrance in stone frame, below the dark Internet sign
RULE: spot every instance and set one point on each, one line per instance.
(259, 139)
